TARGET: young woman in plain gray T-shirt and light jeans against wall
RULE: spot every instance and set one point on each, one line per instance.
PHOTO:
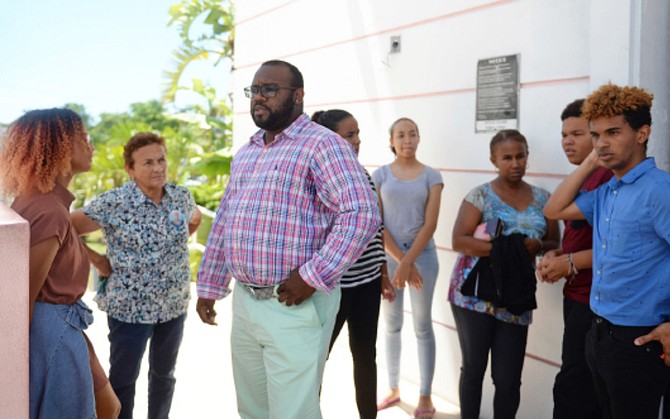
(410, 193)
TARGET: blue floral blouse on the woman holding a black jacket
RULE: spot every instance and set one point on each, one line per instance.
(530, 222)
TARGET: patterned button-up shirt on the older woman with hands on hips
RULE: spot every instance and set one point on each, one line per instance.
(147, 249)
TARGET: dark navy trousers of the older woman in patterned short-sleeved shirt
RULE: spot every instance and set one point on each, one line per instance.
(128, 342)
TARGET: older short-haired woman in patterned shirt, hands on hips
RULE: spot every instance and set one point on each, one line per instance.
(146, 224)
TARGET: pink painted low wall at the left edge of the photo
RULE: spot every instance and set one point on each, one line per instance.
(14, 244)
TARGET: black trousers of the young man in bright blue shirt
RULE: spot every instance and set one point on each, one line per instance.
(629, 380)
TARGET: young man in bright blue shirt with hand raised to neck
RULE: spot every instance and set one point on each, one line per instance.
(630, 296)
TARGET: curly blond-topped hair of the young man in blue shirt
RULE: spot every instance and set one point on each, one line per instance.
(610, 100)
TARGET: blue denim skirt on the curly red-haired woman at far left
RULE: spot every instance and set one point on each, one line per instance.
(61, 385)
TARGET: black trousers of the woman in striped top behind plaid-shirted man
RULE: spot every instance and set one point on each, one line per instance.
(359, 307)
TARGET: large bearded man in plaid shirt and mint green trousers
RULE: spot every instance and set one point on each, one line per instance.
(297, 212)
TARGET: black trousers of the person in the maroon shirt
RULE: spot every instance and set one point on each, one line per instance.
(574, 392)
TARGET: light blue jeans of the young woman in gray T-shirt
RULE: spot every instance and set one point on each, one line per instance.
(422, 303)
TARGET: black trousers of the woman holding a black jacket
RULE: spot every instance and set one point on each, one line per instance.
(479, 334)
